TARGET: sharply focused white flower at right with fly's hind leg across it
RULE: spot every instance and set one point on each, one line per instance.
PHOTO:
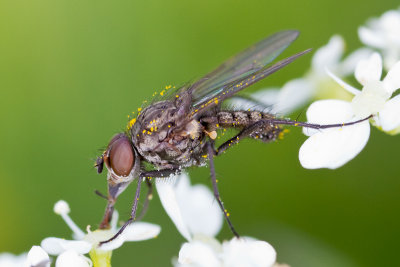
(332, 148)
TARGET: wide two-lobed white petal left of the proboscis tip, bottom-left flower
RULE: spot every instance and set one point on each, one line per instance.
(56, 246)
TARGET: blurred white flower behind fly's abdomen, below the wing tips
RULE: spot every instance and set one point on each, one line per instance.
(315, 84)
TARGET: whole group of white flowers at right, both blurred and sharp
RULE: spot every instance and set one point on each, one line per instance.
(334, 147)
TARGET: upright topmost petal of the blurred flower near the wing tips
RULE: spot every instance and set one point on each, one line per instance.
(328, 55)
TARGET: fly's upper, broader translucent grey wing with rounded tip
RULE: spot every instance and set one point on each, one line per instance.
(242, 65)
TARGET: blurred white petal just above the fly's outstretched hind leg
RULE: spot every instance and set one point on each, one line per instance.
(293, 95)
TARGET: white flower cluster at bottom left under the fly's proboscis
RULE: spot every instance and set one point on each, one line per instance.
(72, 252)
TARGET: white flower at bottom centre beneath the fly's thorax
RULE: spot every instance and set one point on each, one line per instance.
(198, 218)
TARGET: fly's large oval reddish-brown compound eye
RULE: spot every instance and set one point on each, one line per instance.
(121, 155)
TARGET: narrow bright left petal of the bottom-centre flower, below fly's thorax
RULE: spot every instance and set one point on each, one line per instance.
(169, 201)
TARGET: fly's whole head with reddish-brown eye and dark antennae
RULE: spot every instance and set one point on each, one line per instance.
(120, 159)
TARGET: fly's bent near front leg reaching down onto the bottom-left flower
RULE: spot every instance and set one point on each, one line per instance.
(143, 176)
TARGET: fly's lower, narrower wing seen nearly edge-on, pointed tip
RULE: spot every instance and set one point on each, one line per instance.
(228, 90)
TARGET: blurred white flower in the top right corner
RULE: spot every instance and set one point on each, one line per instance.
(384, 34)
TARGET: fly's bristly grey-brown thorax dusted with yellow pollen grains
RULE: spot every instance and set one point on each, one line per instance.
(163, 137)
